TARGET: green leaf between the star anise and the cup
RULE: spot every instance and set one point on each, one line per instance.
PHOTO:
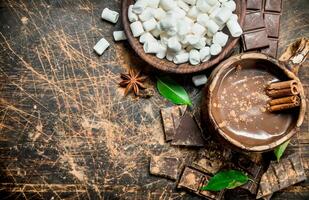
(172, 91)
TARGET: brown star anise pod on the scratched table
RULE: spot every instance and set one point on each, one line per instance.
(132, 80)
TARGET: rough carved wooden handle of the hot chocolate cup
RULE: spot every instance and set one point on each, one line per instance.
(295, 54)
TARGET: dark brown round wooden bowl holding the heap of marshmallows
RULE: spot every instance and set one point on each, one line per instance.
(186, 68)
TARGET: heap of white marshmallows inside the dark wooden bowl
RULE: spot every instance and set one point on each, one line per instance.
(183, 30)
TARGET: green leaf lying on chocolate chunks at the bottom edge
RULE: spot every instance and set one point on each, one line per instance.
(229, 179)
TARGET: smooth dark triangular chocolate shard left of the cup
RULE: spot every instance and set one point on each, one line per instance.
(188, 133)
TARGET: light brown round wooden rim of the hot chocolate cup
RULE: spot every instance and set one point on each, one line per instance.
(214, 78)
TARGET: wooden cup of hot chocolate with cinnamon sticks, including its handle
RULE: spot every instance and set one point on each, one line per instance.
(237, 105)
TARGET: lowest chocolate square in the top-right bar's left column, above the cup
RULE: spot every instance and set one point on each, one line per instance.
(255, 40)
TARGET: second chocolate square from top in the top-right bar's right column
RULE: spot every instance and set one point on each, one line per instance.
(272, 23)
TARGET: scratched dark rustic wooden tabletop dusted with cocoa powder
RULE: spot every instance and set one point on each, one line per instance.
(66, 130)
